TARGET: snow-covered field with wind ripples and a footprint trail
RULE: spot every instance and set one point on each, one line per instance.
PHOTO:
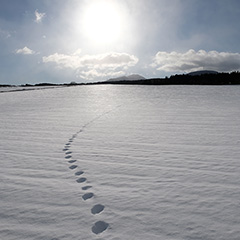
(120, 162)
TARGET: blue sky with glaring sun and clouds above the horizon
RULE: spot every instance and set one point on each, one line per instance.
(63, 41)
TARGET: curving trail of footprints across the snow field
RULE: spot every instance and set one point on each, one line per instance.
(99, 226)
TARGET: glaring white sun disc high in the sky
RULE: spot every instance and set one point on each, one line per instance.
(102, 21)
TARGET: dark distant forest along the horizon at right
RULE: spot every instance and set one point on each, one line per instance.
(185, 79)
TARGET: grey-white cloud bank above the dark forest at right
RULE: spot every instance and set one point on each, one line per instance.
(194, 61)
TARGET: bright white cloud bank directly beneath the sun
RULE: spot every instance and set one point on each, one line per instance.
(93, 66)
